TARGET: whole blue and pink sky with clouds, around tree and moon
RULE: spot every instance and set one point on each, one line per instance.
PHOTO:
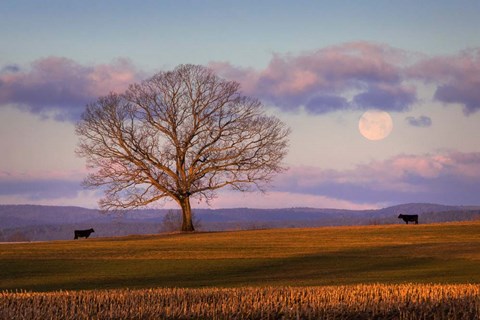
(317, 65)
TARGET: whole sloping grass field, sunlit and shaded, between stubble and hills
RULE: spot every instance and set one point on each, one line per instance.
(441, 253)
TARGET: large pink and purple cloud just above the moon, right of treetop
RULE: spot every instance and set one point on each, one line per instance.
(321, 80)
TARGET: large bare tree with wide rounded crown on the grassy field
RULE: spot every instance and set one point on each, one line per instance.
(180, 134)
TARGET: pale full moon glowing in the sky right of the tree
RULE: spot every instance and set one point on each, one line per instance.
(375, 124)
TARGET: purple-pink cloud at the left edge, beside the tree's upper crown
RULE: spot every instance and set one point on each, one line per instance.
(61, 86)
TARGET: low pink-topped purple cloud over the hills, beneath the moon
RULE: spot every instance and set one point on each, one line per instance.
(452, 178)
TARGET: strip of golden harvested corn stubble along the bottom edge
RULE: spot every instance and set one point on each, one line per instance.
(408, 301)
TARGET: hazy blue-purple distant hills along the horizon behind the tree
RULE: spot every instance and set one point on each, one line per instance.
(35, 223)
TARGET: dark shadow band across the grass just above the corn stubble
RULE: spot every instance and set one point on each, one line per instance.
(390, 264)
